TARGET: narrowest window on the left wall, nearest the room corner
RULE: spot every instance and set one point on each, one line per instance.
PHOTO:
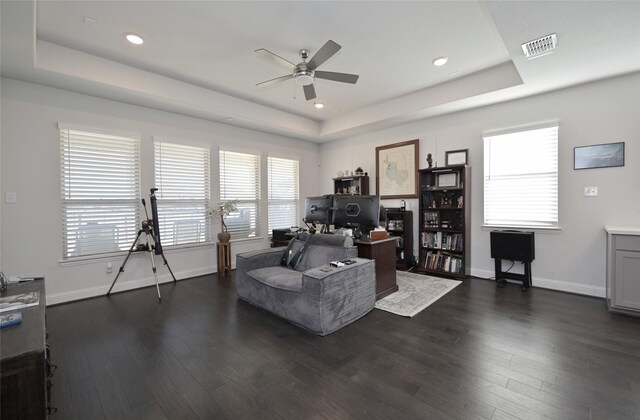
(283, 189)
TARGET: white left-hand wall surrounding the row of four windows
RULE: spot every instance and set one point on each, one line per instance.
(30, 166)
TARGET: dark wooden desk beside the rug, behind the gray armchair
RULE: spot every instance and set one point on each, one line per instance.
(384, 254)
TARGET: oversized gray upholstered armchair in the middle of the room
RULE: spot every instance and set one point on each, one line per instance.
(315, 296)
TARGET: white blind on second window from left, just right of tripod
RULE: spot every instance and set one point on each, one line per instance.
(182, 175)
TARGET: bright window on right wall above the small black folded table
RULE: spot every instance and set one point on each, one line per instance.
(521, 178)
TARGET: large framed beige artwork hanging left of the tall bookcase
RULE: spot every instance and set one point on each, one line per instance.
(397, 170)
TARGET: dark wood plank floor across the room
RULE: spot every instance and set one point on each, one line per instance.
(477, 353)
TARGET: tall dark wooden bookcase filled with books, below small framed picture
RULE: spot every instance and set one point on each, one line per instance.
(445, 221)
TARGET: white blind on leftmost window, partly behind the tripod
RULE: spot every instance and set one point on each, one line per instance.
(100, 186)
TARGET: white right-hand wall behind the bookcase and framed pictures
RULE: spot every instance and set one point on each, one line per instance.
(572, 259)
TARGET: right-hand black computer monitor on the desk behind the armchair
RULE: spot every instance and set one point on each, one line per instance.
(361, 211)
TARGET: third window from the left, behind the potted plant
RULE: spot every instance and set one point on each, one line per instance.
(240, 179)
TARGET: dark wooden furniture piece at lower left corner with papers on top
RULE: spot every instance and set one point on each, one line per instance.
(24, 366)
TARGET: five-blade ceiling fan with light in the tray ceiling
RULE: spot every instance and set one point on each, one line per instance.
(306, 72)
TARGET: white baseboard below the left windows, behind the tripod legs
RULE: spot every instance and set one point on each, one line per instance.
(121, 285)
